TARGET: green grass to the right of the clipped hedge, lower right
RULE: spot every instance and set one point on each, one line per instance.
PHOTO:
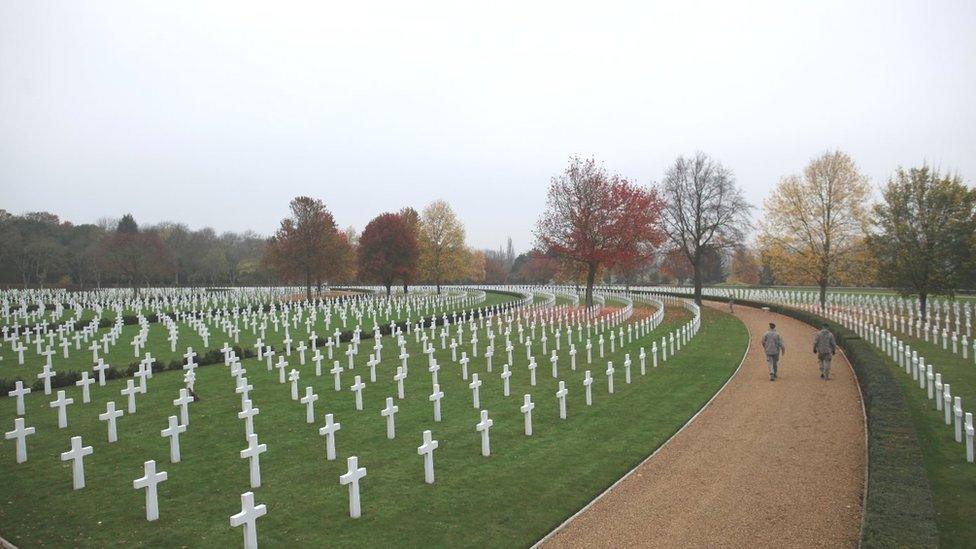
(951, 478)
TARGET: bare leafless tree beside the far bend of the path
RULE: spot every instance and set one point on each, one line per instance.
(705, 210)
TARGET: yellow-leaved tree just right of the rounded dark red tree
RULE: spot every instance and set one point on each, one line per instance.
(442, 250)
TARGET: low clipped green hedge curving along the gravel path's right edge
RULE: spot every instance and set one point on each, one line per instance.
(898, 509)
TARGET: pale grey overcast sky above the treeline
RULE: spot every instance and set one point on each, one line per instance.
(217, 113)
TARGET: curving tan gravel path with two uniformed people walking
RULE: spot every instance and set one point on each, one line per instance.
(765, 464)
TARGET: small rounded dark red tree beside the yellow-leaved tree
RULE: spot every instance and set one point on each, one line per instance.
(387, 250)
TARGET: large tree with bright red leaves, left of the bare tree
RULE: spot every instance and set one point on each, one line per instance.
(596, 220)
